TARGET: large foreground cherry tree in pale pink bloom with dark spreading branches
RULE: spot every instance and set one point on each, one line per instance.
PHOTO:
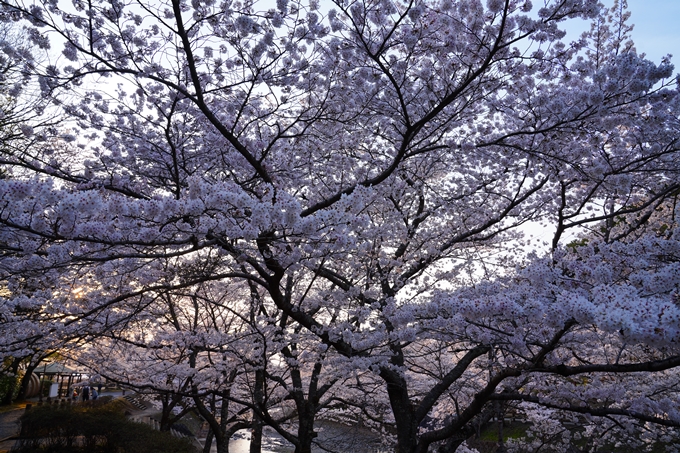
(369, 169)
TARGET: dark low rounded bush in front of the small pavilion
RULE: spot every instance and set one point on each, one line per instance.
(92, 428)
